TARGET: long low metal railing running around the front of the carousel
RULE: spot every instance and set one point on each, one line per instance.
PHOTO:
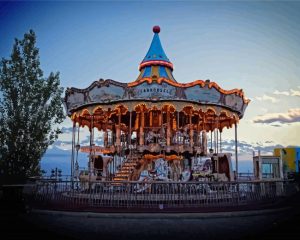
(166, 195)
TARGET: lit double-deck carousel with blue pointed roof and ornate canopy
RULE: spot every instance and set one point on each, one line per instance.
(154, 128)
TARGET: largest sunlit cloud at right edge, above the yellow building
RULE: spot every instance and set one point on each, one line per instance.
(293, 115)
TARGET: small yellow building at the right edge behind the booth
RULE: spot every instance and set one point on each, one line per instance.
(290, 157)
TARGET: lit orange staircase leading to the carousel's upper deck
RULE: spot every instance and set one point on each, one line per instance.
(126, 169)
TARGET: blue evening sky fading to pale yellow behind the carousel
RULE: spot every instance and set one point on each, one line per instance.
(252, 46)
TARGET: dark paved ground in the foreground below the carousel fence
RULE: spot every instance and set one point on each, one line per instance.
(243, 225)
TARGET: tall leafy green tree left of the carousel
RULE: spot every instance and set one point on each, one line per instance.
(30, 110)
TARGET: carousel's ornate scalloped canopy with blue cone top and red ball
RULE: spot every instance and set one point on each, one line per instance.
(209, 105)
